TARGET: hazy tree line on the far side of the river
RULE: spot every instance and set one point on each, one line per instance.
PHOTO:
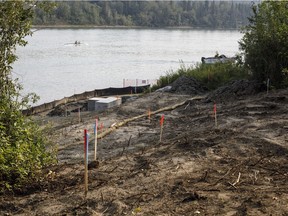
(194, 14)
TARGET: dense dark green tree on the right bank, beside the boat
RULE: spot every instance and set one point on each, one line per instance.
(265, 44)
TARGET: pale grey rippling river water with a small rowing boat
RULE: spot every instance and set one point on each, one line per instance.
(53, 67)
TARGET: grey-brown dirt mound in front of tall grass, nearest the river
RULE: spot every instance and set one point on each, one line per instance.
(187, 85)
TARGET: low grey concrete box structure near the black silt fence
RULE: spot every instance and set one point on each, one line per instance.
(99, 104)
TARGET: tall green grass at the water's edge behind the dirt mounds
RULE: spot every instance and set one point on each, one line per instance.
(210, 75)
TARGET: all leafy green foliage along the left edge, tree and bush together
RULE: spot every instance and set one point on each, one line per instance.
(23, 149)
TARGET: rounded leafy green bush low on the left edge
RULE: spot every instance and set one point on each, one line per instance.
(24, 149)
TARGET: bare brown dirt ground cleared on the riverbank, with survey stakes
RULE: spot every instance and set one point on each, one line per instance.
(238, 167)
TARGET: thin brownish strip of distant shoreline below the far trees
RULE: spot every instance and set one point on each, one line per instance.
(125, 27)
